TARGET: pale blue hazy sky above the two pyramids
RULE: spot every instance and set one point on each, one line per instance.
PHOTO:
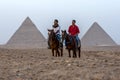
(43, 12)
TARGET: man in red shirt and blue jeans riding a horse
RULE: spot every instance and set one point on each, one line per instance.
(74, 31)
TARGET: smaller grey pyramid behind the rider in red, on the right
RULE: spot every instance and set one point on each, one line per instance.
(96, 36)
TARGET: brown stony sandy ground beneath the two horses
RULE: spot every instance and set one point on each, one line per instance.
(38, 64)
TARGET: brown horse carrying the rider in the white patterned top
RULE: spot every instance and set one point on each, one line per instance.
(55, 44)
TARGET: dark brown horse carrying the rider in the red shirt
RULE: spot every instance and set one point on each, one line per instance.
(71, 44)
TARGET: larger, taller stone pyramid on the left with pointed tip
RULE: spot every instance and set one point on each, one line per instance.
(27, 36)
